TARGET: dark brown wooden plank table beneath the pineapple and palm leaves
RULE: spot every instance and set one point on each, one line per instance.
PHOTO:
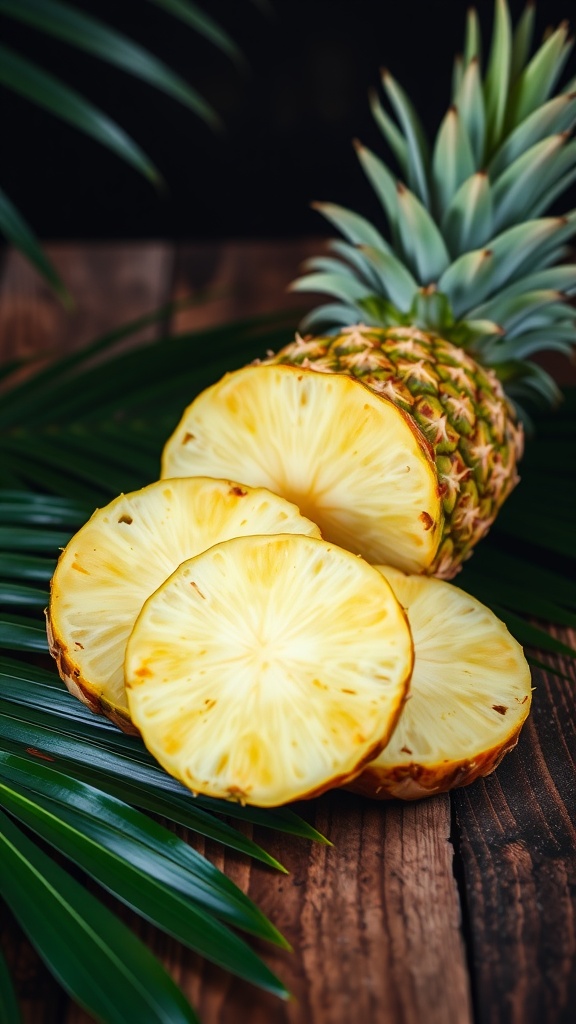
(457, 910)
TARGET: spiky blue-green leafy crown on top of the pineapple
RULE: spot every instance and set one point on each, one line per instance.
(470, 253)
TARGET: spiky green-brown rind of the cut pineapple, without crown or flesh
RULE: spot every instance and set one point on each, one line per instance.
(459, 406)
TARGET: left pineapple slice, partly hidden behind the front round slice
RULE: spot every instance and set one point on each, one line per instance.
(124, 554)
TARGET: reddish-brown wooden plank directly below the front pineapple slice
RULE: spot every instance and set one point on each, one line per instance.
(374, 922)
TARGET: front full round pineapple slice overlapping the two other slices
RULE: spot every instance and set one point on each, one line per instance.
(269, 669)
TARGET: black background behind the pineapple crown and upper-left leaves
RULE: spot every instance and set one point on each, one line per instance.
(290, 121)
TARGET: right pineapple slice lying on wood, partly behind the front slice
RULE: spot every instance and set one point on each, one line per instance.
(470, 696)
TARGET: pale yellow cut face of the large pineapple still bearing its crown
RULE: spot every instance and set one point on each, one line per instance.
(351, 460)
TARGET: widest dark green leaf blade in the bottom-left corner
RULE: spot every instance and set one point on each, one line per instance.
(83, 943)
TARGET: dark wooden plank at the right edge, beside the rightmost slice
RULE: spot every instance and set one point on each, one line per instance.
(519, 856)
